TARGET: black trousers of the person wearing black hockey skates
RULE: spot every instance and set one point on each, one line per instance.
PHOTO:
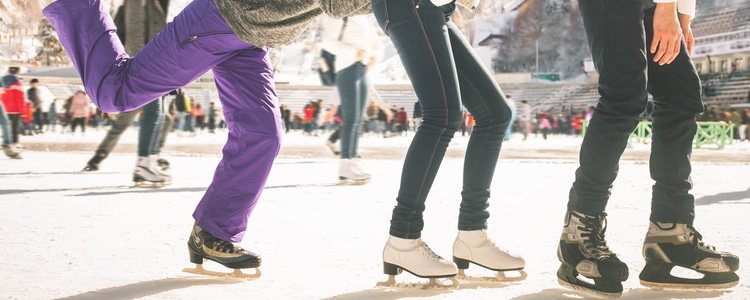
(619, 34)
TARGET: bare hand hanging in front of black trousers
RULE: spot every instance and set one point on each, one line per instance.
(667, 34)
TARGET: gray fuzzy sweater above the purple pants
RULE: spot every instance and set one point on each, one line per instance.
(278, 22)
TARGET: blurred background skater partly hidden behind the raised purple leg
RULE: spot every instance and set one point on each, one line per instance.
(147, 171)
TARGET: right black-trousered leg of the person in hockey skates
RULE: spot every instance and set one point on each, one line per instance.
(676, 89)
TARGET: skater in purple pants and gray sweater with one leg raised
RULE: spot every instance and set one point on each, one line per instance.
(197, 40)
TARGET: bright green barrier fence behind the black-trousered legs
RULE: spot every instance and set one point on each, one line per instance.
(709, 133)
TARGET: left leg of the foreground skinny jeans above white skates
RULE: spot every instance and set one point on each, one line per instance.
(420, 36)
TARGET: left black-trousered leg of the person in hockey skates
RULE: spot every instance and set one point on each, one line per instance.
(616, 36)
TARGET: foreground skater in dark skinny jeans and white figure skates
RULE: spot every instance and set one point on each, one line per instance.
(444, 70)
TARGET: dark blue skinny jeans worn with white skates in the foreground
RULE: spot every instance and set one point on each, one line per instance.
(444, 70)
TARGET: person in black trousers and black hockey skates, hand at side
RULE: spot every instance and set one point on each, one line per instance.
(661, 31)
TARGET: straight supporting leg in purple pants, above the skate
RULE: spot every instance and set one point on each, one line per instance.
(248, 96)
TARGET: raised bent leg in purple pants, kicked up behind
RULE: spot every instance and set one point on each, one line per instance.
(117, 82)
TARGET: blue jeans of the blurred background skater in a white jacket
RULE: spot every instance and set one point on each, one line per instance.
(351, 83)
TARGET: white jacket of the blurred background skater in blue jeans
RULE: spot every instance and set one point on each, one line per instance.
(346, 41)
